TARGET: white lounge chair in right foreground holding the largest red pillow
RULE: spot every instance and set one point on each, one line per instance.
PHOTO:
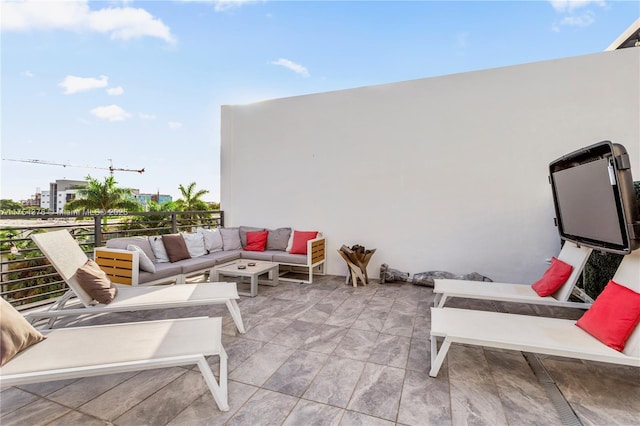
(551, 336)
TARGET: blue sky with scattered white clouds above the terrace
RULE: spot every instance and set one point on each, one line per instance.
(142, 82)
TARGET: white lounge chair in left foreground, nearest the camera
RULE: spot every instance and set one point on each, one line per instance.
(76, 352)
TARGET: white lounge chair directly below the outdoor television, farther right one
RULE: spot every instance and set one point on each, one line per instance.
(520, 293)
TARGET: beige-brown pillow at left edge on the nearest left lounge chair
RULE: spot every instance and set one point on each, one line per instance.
(16, 334)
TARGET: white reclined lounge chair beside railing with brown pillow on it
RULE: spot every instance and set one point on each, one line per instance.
(66, 256)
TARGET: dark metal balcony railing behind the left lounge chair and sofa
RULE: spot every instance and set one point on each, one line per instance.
(28, 280)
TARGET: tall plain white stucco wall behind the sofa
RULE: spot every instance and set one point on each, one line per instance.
(445, 173)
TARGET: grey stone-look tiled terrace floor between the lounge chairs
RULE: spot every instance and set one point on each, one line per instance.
(331, 353)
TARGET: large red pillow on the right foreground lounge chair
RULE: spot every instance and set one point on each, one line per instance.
(613, 316)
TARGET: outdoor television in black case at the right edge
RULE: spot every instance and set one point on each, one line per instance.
(594, 198)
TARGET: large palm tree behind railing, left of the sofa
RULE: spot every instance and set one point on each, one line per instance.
(103, 196)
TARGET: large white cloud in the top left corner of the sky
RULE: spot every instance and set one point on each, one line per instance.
(121, 23)
